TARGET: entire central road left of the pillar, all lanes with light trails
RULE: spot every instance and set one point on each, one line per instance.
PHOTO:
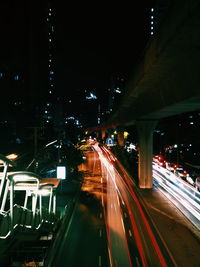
(108, 226)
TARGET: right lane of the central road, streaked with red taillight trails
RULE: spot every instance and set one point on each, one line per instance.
(151, 250)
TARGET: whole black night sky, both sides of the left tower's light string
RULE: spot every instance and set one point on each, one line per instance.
(93, 41)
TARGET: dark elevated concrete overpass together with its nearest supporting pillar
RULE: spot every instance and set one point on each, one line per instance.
(166, 81)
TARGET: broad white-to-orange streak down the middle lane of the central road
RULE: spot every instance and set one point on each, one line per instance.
(114, 219)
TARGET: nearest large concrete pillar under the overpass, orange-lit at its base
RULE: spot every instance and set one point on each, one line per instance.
(145, 133)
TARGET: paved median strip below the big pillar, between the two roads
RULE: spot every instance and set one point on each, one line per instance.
(180, 235)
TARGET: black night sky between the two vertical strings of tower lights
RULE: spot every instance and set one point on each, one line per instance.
(96, 42)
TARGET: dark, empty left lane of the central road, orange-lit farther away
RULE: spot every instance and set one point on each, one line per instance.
(84, 239)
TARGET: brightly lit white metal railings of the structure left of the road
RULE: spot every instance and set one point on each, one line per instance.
(24, 187)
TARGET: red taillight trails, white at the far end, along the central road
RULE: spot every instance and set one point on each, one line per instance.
(123, 188)
